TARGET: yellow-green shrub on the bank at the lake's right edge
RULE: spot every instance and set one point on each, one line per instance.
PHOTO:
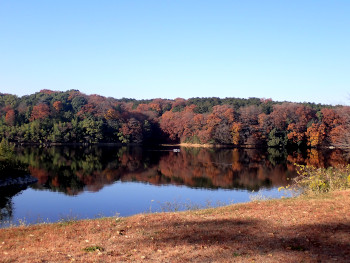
(322, 180)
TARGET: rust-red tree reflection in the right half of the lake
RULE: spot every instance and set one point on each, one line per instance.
(245, 169)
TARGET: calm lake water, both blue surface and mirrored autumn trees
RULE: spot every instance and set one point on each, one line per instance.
(88, 182)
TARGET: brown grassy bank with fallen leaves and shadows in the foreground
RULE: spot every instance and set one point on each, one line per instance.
(288, 230)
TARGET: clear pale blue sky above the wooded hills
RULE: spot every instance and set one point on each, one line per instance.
(285, 50)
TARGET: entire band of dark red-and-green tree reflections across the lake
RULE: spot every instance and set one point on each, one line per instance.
(74, 169)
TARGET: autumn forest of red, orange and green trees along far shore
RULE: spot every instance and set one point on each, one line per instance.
(56, 117)
